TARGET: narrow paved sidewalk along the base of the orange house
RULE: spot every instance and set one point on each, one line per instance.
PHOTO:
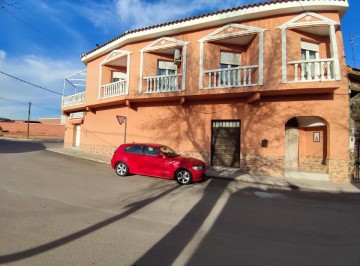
(234, 174)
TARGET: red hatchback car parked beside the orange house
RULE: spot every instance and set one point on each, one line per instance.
(156, 160)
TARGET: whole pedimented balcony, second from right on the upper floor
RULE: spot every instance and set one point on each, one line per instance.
(238, 51)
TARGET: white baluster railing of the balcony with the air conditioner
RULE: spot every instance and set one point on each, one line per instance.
(166, 83)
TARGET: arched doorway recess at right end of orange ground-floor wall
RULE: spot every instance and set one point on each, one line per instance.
(306, 148)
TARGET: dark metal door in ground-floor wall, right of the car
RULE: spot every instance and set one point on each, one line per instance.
(225, 143)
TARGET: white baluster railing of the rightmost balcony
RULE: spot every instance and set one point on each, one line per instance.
(313, 70)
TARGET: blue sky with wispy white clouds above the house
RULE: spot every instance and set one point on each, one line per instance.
(41, 41)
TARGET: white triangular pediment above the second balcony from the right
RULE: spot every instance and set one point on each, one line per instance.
(231, 31)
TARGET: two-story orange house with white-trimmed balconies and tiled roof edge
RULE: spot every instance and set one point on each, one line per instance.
(260, 87)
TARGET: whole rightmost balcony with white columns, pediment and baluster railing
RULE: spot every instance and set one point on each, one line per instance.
(323, 44)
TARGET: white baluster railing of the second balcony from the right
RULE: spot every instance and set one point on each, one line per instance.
(230, 77)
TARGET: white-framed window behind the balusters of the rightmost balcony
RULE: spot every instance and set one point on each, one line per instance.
(310, 51)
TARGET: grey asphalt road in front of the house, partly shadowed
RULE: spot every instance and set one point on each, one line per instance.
(60, 210)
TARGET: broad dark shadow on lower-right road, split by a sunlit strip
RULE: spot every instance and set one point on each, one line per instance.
(253, 226)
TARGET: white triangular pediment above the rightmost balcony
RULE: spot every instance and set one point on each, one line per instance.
(308, 19)
